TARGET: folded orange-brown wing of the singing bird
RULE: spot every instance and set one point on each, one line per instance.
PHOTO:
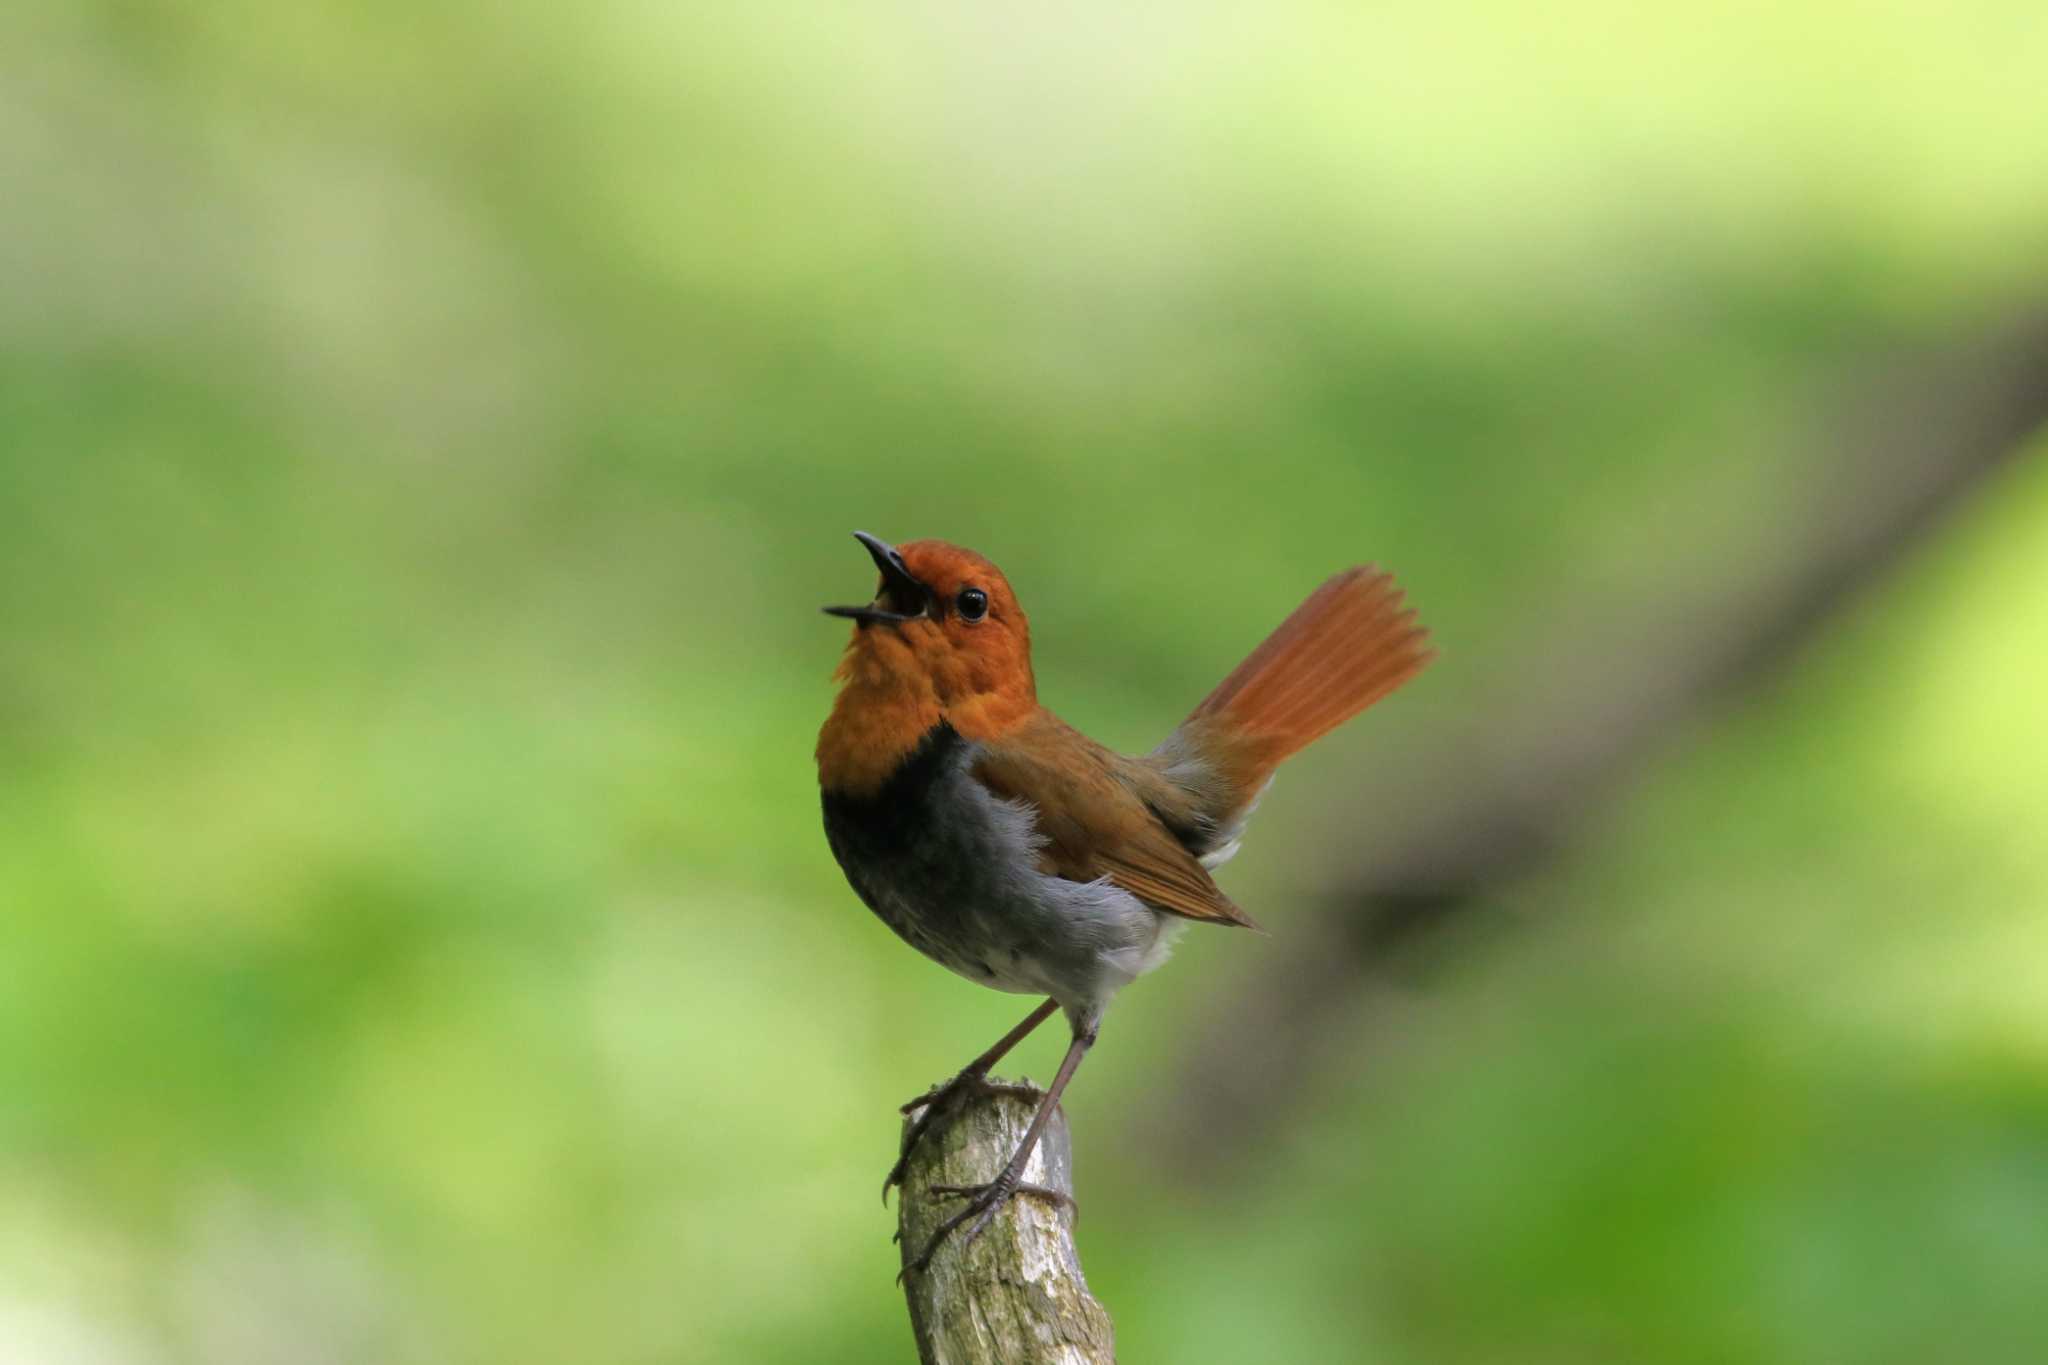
(1095, 826)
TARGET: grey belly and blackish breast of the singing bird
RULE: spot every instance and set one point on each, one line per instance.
(953, 871)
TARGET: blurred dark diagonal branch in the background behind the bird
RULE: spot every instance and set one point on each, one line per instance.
(1908, 449)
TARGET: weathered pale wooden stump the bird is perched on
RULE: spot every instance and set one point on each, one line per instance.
(1017, 1294)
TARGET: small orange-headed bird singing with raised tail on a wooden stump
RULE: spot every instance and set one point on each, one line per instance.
(1025, 856)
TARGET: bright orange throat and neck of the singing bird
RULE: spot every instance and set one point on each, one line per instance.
(898, 685)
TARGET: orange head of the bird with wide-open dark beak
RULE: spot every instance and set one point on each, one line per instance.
(945, 633)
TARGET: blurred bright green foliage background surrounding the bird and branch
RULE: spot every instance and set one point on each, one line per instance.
(427, 435)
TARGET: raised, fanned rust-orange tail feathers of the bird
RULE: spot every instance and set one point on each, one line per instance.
(1340, 652)
